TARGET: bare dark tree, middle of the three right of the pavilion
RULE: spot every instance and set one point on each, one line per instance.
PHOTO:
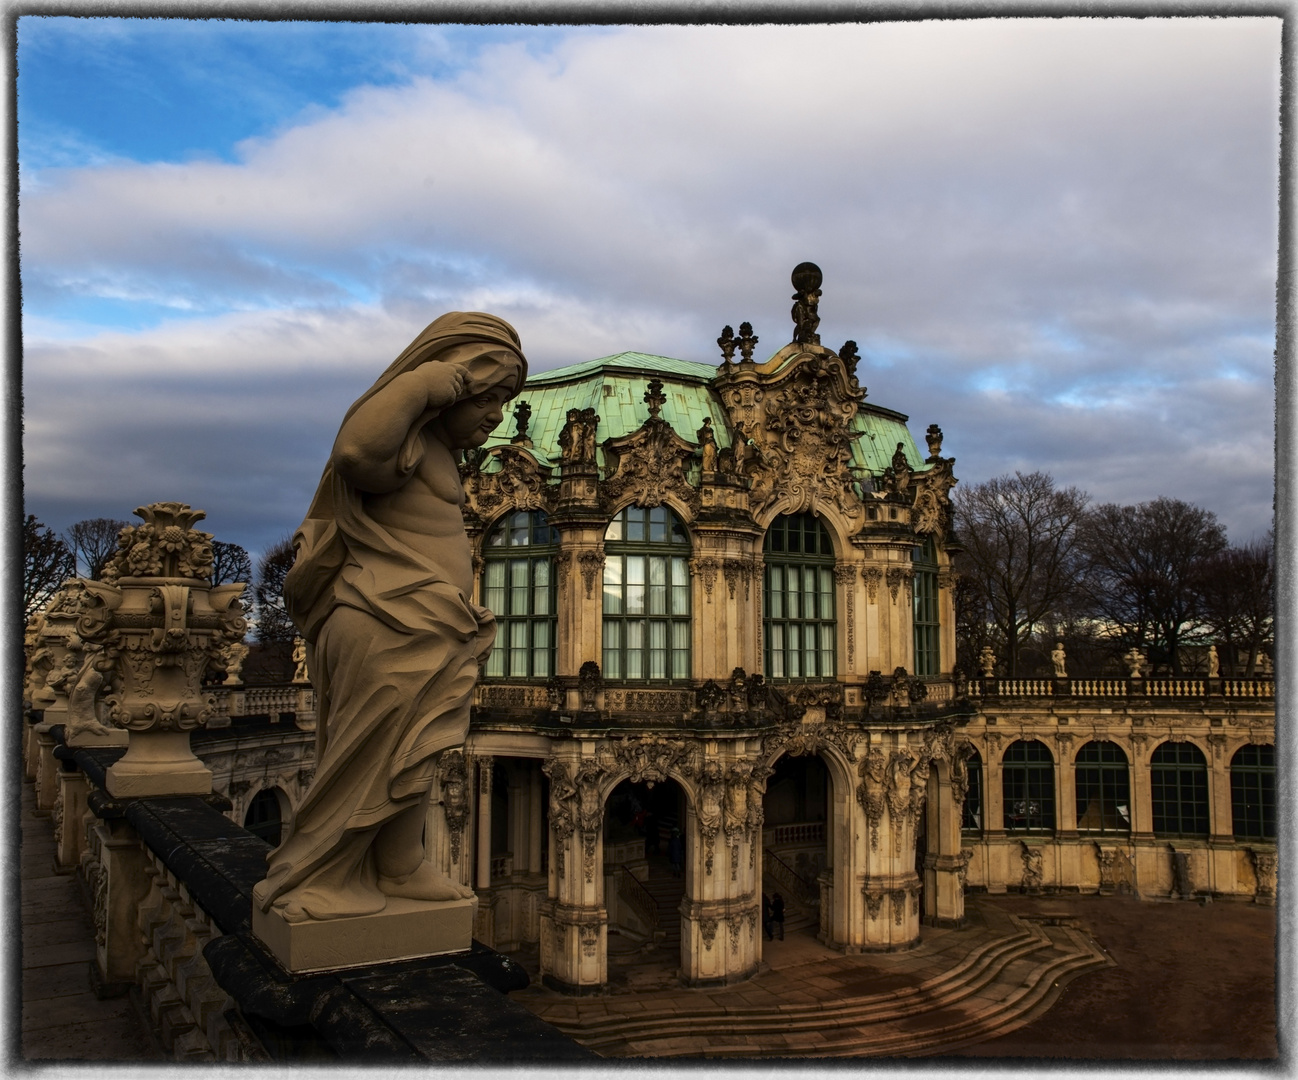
(1147, 564)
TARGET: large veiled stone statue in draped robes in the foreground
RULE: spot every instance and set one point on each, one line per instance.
(380, 591)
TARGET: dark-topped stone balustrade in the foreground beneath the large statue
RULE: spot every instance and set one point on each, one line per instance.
(171, 885)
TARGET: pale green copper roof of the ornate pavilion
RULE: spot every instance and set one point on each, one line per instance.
(615, 386)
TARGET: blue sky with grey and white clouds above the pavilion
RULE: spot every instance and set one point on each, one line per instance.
(1055, 238)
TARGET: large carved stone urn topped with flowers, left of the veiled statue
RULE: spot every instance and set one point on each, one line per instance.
(160, 625)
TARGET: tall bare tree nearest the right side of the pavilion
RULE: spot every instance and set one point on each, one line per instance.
(1021, 561)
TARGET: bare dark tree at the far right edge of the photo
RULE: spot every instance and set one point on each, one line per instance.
(1239, 603)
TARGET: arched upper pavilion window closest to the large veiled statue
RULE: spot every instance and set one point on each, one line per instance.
(519, 587)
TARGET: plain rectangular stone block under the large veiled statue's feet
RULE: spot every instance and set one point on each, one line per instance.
(404, 930)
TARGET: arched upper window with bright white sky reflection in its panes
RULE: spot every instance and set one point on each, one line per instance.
(647, 596)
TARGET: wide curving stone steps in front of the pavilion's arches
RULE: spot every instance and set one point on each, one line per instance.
(1003, 983)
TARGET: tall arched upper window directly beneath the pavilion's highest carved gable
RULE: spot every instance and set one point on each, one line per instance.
(800, 629)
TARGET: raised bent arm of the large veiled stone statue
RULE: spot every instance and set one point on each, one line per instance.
(368, 450)
